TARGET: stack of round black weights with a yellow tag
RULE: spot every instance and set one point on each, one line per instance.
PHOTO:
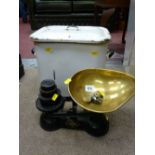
(49, 99)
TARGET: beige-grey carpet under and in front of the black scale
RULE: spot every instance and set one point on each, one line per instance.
(120, 139)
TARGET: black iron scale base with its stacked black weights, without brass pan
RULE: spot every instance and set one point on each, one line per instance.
(54, 117)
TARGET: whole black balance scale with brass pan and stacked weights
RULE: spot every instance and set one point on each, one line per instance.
(93, 94)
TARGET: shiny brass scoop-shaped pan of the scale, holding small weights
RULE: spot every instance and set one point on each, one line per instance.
(101, 90)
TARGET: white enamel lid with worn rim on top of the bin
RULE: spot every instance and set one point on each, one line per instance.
(73, 34)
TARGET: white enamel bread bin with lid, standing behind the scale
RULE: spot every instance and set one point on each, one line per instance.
(63, 50)
